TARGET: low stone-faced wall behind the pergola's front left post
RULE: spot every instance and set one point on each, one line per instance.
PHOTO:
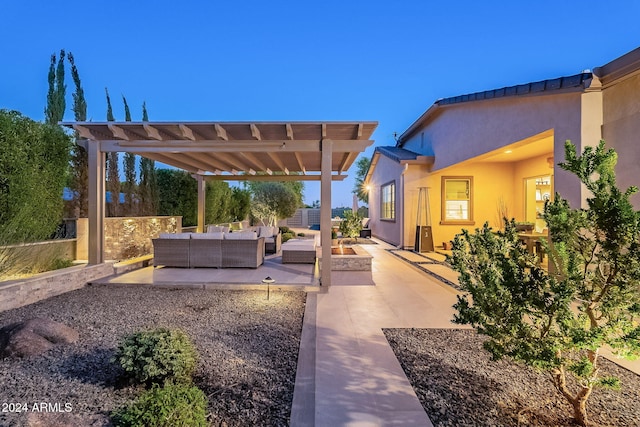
(128, 237)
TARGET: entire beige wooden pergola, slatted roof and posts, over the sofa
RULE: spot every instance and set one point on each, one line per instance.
(232, 151)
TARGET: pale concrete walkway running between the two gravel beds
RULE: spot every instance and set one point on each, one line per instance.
(347, 372)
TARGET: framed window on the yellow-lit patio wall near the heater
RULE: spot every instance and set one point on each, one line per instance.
(457, 200)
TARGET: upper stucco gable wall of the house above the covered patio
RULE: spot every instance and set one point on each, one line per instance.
(463, 131)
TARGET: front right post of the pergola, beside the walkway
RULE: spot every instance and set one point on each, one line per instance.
(325, 210)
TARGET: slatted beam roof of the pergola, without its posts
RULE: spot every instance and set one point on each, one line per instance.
(237, 150)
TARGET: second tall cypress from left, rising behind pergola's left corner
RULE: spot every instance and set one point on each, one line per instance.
(79, 163)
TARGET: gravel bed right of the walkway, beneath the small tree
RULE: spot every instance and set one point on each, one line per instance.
(458, 385)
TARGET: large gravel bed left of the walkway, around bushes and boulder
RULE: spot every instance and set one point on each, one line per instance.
(248, 349)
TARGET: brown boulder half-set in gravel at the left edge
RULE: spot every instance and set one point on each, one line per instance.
(34, 336)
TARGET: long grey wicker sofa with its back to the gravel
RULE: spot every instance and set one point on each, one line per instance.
(218, 249)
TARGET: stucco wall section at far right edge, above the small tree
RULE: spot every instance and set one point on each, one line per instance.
(621, 129)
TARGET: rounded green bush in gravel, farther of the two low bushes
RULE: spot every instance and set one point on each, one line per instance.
(157, 356)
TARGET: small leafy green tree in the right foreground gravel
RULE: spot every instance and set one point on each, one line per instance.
(595, 259)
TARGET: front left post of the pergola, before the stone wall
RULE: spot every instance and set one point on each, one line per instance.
(96, 169)
